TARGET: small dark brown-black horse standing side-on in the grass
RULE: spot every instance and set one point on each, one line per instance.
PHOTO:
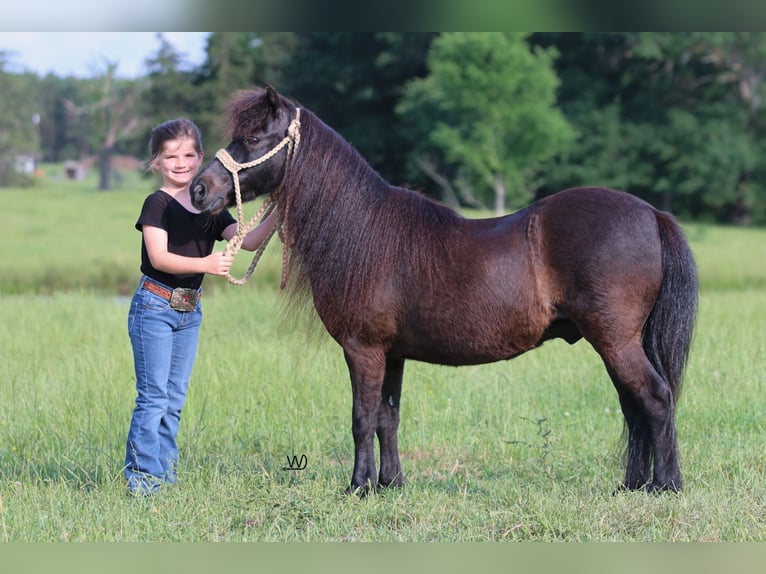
(395, 276)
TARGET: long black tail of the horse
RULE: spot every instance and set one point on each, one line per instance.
(669, 327)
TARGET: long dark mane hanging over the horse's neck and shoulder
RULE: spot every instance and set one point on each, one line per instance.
(350, 231)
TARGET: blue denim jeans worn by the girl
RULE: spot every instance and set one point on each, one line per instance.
(164, 348)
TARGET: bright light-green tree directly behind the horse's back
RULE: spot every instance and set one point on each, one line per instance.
(496, 100)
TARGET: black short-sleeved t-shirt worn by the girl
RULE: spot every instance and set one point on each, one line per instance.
(189, 234)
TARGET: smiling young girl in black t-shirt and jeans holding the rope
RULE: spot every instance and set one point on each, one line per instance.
(165, 312)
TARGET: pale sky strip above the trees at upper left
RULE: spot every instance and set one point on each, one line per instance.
(86, 54)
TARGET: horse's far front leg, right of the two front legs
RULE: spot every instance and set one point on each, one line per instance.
(388, 424)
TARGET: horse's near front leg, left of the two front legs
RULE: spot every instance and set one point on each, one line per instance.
(367, 369)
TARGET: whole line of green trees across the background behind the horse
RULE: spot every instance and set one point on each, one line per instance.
(491, 120)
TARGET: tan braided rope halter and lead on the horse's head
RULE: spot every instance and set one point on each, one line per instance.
(291, 140)
